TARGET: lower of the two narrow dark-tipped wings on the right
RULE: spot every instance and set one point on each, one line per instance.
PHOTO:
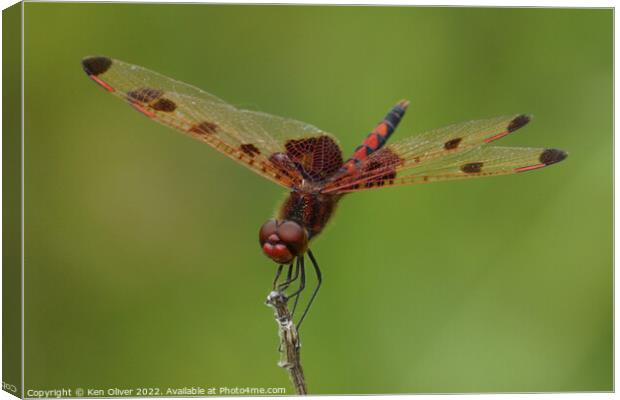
(481, 162)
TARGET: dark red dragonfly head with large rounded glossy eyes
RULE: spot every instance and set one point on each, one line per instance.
(282, 241)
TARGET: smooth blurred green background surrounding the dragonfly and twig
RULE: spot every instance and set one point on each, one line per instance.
(142, 260)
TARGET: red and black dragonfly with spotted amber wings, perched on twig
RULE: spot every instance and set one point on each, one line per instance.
(308, 161)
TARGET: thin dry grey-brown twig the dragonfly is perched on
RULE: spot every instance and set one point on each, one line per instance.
(289, 341)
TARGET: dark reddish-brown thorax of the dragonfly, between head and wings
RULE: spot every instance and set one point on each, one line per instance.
(310, 210)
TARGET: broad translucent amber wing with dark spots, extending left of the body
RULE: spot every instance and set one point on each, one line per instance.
(256, 139)
